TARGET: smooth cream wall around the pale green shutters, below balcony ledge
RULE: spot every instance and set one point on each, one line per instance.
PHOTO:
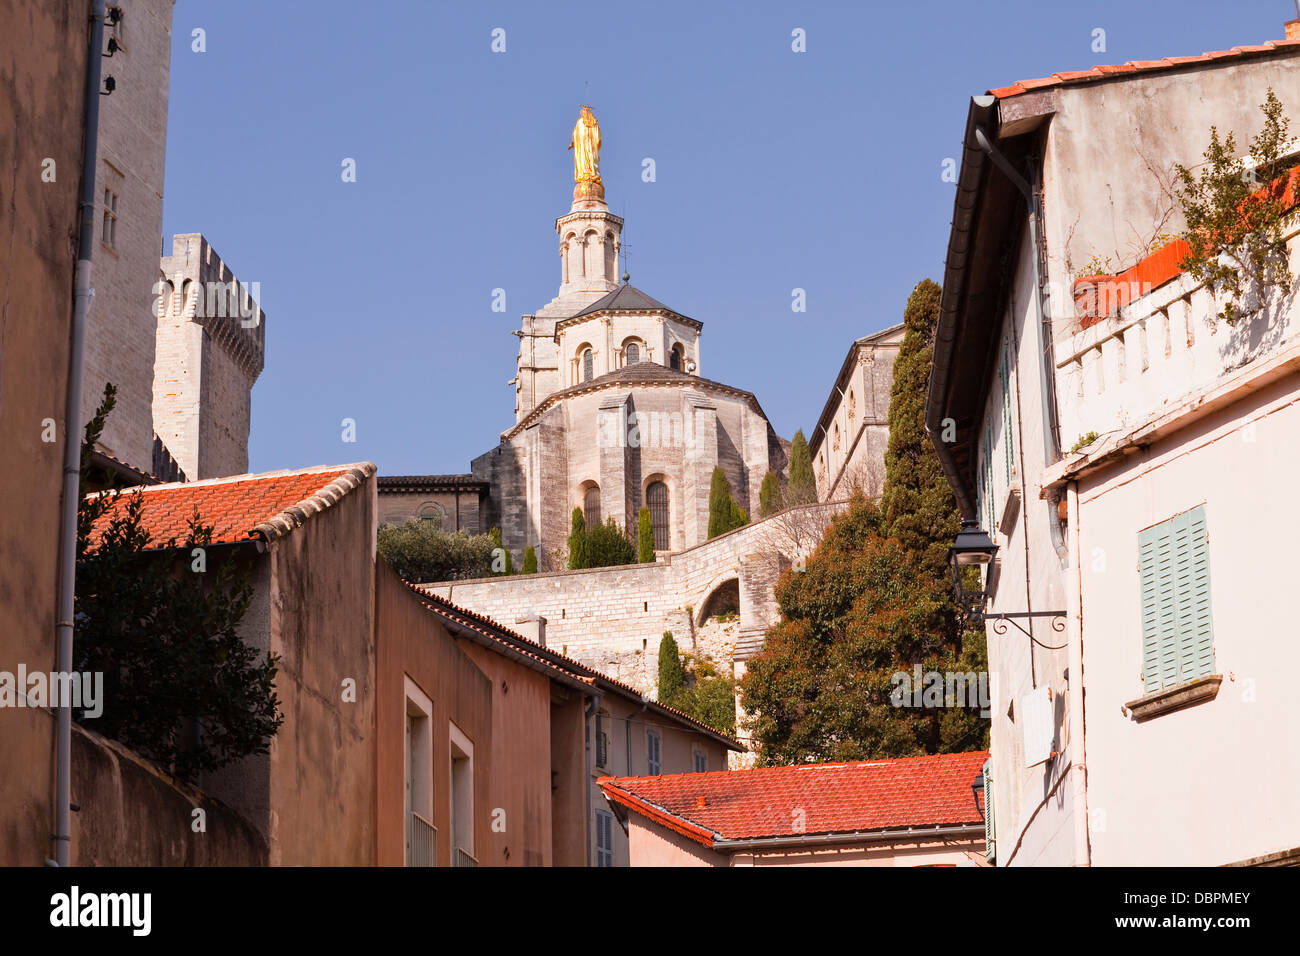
(1220, 781)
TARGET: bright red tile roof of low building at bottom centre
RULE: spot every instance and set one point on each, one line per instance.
(824, 798)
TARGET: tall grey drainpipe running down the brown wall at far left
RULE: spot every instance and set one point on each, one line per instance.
(72, 443)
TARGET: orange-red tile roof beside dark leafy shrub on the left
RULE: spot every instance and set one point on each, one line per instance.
(240, 508)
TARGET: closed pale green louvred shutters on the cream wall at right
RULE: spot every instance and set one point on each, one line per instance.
(1177, 634)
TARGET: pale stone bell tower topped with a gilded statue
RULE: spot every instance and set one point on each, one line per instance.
(590, 269)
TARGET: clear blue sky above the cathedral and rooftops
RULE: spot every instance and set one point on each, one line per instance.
(775, 171)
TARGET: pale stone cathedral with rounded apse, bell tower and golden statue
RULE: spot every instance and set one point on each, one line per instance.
(613, 412)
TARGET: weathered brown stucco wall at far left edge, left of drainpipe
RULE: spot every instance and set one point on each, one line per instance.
(44, 47)
